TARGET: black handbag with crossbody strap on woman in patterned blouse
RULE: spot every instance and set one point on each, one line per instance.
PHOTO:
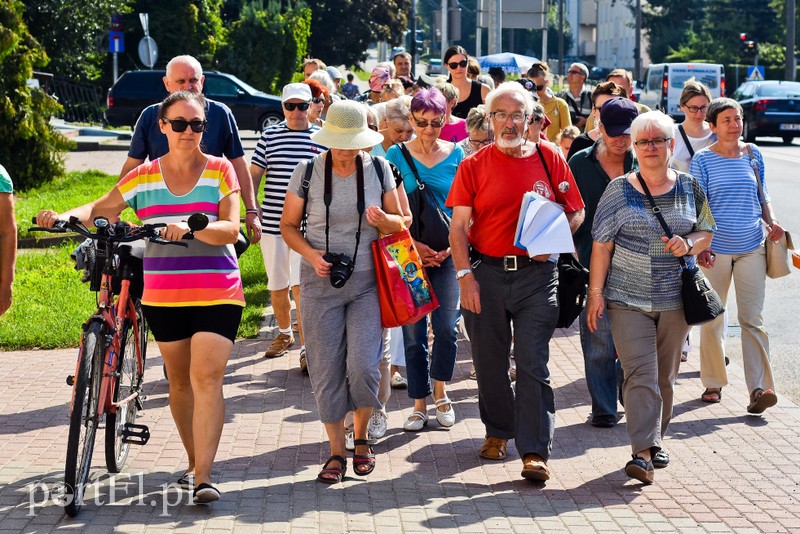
(701, 304)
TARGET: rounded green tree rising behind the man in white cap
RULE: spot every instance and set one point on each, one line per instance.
(265, 46)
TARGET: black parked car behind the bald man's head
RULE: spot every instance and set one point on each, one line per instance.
(137, 89)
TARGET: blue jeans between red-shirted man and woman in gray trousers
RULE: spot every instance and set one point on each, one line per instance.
(599, 357)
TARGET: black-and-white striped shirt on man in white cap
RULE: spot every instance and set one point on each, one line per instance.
(278, 152)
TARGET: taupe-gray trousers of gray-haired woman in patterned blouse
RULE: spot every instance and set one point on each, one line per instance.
(649, 348)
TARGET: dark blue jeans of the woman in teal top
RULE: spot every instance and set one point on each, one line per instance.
(442, 358)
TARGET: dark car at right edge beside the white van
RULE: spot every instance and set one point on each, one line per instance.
(771, 108)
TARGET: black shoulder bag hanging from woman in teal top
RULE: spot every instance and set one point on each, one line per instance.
(431, 225)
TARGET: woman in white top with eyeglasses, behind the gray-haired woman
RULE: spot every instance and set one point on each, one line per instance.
(694, 133)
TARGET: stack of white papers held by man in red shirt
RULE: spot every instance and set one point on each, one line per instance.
(542, 227)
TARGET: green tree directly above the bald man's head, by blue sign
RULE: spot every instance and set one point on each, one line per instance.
(191, 27)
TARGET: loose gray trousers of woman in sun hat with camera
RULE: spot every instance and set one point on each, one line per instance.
(344, 341)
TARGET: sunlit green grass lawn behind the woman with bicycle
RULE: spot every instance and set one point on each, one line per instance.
(51, 303)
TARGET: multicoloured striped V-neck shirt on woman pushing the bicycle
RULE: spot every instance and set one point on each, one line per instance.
(202, 274)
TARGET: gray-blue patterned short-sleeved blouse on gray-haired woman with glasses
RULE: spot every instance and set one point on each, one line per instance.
(642, 275)
